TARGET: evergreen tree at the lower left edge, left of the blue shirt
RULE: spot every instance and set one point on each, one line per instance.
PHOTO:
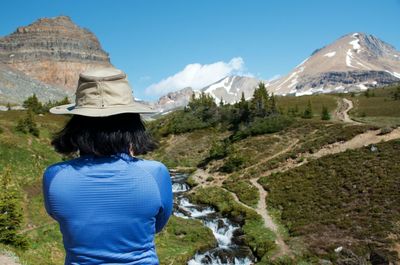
(11, 217)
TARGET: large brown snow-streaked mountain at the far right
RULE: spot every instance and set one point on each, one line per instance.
(352, 63)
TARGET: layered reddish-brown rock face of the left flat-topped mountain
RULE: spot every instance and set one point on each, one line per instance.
(54, 51)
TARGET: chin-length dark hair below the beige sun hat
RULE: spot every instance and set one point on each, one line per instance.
(104, 136)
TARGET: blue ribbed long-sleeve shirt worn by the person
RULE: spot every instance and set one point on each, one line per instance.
(109, 208)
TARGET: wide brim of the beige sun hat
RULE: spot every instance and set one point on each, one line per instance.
(102, 112)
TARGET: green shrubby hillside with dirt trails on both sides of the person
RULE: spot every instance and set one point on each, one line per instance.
(318, 204)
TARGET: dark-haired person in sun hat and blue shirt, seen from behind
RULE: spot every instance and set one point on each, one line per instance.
(108, 202)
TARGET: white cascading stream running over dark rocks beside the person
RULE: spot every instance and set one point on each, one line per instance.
(226, 252)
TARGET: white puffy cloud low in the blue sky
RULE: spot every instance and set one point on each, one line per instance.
(198, 76)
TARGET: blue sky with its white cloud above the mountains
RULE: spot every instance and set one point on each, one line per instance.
(193, 42)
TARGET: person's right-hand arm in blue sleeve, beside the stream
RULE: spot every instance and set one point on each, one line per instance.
(163, 179)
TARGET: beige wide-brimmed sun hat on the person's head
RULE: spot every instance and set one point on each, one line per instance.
(103, 92)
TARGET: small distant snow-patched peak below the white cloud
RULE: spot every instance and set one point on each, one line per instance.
(230, 88)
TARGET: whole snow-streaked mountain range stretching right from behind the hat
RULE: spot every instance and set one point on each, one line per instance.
(355, 62)
